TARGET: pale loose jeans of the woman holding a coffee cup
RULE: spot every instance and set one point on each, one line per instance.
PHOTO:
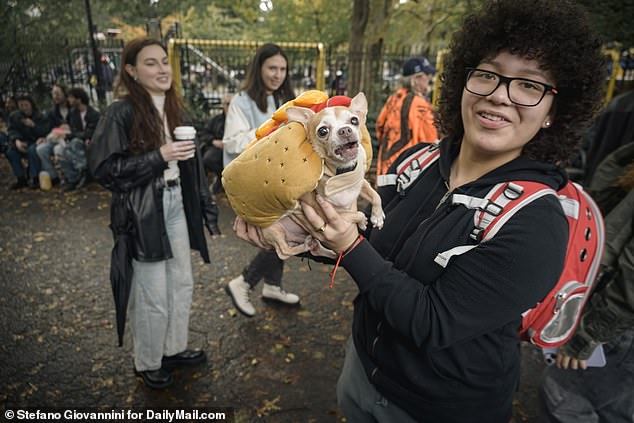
(161, 296)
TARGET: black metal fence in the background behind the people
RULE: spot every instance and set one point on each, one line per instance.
(209, 73)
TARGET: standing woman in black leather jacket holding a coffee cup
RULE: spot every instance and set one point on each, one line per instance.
(160, 199)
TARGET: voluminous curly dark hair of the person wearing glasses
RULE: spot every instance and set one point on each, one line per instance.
(558, 35)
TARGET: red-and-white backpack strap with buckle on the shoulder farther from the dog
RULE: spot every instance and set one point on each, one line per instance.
(498, 206)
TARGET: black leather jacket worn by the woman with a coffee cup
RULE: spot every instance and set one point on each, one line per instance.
(136, 182)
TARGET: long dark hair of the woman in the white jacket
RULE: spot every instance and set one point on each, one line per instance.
(254, 85)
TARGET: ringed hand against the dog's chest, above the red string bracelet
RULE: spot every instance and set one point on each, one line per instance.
(332, 230)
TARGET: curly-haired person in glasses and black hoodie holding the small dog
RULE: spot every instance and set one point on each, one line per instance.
(441, 344)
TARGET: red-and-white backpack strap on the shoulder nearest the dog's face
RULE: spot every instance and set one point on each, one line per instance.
(411, 167)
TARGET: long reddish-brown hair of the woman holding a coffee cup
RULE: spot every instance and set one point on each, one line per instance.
(147, 128)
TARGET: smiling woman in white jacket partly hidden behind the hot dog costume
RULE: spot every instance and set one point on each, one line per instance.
(267, 87)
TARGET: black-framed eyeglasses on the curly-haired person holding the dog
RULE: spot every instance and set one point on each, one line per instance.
(521, 91)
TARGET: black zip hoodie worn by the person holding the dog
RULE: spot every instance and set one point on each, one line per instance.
(443, 343)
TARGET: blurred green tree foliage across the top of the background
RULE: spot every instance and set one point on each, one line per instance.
(37, 32)
